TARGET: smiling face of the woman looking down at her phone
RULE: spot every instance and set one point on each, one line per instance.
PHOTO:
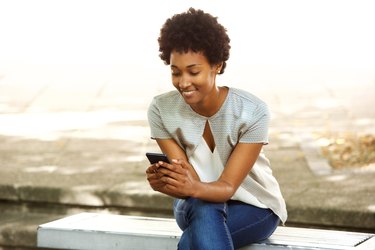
(193, 77)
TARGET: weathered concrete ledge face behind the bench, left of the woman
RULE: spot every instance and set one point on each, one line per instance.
(139, 196)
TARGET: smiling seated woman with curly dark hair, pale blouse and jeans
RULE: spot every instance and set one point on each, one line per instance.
(226, 196)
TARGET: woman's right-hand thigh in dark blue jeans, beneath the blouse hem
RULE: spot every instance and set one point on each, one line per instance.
(248, 224)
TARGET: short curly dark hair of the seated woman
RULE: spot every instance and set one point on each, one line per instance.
(197, 31)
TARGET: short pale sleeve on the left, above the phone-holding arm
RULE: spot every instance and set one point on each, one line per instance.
(157, 128)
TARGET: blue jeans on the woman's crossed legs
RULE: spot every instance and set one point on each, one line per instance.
(217, 226)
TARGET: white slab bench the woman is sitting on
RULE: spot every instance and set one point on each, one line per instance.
(93, 231)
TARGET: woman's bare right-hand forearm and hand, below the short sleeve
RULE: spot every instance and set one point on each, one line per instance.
(238, 166)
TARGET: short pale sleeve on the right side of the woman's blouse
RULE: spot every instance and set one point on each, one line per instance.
(255, 129)
